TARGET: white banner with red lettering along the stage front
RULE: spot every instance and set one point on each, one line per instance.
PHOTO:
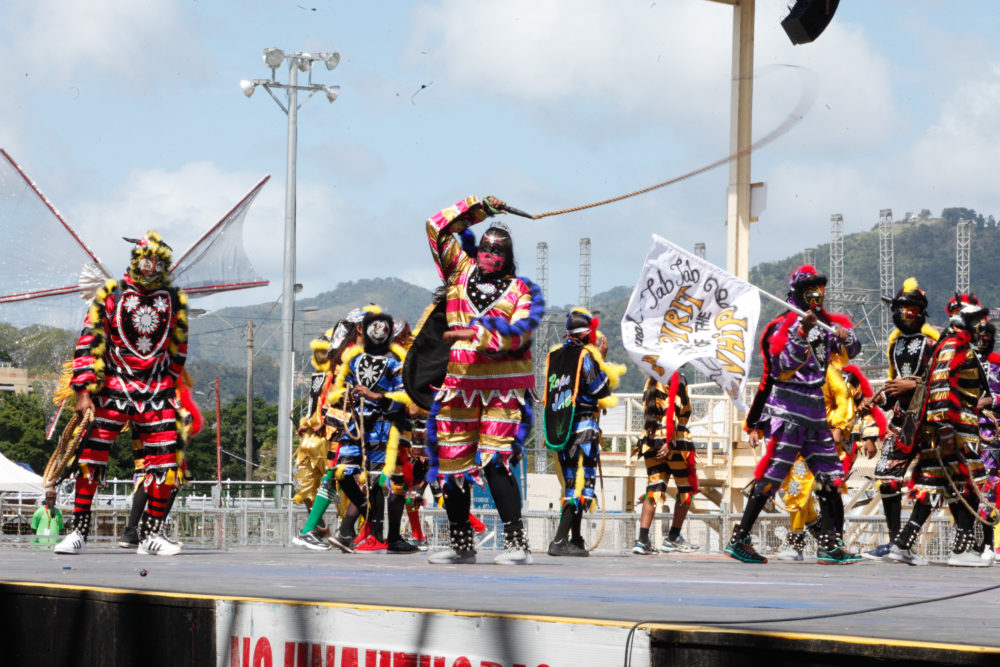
(259, 633)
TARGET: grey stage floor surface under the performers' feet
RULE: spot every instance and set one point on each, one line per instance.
(689, 590)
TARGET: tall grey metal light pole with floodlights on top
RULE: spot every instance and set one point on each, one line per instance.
(297, 62)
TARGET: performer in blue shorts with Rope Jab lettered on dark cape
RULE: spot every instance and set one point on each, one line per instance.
(578, 384)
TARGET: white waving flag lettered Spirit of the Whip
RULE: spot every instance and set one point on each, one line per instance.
(685, 310)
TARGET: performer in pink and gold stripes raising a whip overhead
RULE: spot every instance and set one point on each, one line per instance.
(482, 411)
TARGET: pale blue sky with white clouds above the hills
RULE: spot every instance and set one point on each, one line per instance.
(129, 116)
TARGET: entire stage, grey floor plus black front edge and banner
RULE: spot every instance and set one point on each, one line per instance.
(559, 611)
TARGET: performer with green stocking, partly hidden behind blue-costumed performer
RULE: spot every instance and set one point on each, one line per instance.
(335, 416)
